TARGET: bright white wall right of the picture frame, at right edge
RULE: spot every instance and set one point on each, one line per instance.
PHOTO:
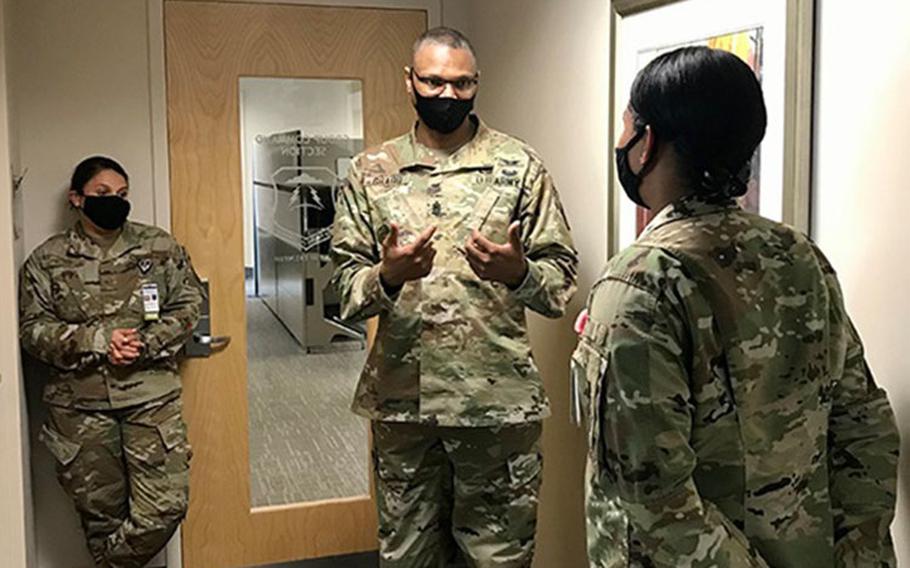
(861, 196)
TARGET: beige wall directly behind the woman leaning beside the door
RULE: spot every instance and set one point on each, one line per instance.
(79, 85)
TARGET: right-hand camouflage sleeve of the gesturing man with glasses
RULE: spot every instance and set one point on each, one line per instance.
(552, 259)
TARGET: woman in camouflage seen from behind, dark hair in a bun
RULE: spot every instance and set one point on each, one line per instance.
(733, 421)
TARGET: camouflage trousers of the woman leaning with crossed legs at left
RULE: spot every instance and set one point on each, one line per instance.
(127, 471)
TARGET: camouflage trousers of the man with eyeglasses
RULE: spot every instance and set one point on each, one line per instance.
(457, 496)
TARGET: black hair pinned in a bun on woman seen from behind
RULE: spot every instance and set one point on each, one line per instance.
(708, 103)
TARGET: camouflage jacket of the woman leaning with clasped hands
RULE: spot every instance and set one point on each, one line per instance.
(73, 295)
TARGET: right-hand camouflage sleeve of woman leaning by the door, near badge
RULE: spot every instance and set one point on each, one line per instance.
(180, 309)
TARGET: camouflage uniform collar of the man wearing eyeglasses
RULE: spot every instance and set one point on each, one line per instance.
(474, 154)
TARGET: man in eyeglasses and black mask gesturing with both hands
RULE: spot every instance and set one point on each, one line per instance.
(447, 234)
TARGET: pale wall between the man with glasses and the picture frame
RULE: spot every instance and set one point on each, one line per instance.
(544, 78)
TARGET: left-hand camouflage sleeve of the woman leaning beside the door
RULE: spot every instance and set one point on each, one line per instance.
(66, 346)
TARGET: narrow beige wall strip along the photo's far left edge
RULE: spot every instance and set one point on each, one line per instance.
(13, 485)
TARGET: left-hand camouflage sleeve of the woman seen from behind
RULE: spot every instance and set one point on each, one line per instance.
(645, 421)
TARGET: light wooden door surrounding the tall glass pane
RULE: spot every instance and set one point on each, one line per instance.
(209, 47)
